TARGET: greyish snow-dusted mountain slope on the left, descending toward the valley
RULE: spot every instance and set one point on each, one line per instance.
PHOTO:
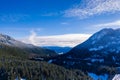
(8, 41)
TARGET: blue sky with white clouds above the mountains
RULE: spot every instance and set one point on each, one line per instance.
(57, 22)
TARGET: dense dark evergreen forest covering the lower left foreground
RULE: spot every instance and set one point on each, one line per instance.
(13, 67)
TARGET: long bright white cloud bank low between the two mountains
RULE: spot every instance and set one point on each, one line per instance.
(57, 40)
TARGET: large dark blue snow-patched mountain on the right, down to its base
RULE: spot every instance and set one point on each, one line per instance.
(99, 54)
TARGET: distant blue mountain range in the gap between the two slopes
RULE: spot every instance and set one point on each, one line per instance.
(59, 50)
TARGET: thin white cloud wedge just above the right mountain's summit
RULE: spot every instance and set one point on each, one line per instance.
(114, 24)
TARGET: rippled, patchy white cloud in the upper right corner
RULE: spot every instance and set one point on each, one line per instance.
(93, 7)
